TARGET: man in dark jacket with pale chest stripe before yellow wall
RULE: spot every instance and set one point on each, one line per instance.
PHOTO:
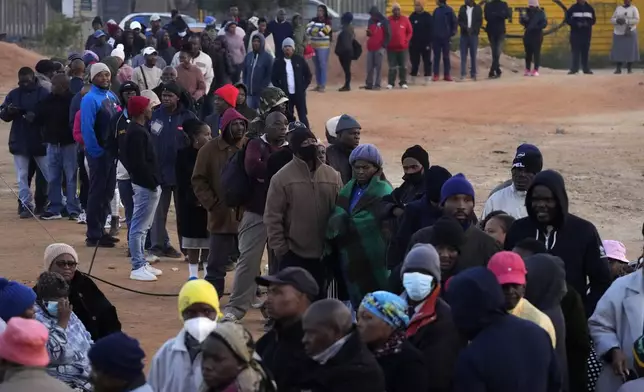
(581, 18)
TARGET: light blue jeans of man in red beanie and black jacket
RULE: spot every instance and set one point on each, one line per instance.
(145, 205)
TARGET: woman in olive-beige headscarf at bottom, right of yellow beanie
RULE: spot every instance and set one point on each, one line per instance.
(230, 362)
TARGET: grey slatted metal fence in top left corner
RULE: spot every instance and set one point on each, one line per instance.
(25, 18)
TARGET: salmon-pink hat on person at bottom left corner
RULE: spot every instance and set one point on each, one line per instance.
(24, 342)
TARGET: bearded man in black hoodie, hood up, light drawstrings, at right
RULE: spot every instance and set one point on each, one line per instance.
(573, 239)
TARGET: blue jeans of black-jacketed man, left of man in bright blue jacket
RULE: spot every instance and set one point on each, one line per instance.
(62, 159)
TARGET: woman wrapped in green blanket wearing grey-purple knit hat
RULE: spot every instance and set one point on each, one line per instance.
(356, 245)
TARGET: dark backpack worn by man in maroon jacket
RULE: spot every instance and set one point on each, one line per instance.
(237, 185)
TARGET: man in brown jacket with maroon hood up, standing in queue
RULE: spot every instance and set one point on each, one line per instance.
(206, 183)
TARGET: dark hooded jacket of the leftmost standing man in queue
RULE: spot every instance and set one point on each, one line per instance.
(25, 137)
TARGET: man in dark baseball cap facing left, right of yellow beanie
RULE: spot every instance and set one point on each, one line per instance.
(290, 293)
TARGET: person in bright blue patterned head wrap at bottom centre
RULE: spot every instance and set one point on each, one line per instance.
(382, 324)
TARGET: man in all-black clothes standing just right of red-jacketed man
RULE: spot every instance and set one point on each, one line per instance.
(421, 42)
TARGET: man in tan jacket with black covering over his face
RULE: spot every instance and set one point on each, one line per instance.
(301, 197)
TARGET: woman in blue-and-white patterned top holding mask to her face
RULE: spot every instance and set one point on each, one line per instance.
(69, 341)
